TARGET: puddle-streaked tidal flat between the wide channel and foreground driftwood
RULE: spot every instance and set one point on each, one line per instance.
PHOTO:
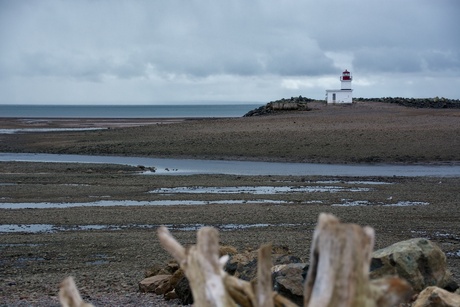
(108, 248)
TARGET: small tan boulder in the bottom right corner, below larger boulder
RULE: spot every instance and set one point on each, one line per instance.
(434, 297)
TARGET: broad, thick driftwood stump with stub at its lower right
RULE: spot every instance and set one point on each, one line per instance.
(339, 268)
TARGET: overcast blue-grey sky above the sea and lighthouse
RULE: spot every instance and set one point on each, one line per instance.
(215, 51)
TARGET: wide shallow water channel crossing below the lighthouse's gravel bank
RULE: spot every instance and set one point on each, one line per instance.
(195, 166)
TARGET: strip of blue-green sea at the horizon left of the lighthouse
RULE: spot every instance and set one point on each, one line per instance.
(126, 111)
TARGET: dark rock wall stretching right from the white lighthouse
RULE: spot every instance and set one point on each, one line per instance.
(434, 103)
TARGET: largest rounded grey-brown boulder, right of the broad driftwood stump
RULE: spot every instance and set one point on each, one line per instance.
(421, 262)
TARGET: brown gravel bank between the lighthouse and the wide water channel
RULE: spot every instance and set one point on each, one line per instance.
(359, 133)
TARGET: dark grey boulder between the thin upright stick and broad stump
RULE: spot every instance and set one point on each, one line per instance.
(288, 280)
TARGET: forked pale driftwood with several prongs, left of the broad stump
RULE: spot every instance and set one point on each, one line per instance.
(210, 284)
